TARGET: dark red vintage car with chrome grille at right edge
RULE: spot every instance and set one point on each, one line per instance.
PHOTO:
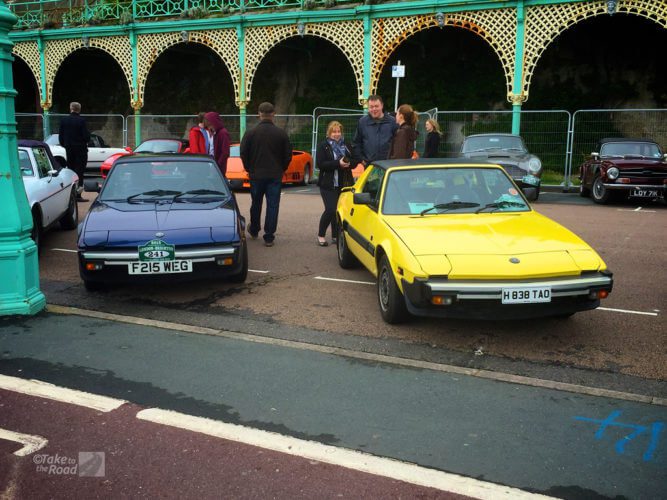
(634, 168)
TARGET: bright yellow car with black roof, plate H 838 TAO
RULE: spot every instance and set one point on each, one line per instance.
(457, 238)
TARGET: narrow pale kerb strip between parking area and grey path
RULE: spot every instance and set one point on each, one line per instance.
(382, 358)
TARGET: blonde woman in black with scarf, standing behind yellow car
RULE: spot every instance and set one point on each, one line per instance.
(333, 161)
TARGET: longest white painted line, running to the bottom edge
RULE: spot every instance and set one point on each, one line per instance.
(350, 459)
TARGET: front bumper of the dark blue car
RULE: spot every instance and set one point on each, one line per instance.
(114, 265)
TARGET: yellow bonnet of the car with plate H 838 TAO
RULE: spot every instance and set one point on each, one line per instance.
(480, 246)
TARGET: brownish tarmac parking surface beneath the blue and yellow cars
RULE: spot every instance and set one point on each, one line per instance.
(290, 293)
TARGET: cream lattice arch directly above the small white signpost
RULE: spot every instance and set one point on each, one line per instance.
(496, 26)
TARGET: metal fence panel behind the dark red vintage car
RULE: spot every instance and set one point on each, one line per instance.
(591, 125)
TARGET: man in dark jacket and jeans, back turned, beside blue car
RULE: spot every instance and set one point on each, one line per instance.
(266, 152)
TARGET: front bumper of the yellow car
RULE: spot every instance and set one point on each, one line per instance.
(483, 299)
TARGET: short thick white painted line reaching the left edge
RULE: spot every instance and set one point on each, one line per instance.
(49, 391)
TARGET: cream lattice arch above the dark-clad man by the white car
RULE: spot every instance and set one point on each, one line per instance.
(57, 51)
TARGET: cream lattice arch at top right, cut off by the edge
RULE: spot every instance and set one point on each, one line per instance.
(545, 22)
